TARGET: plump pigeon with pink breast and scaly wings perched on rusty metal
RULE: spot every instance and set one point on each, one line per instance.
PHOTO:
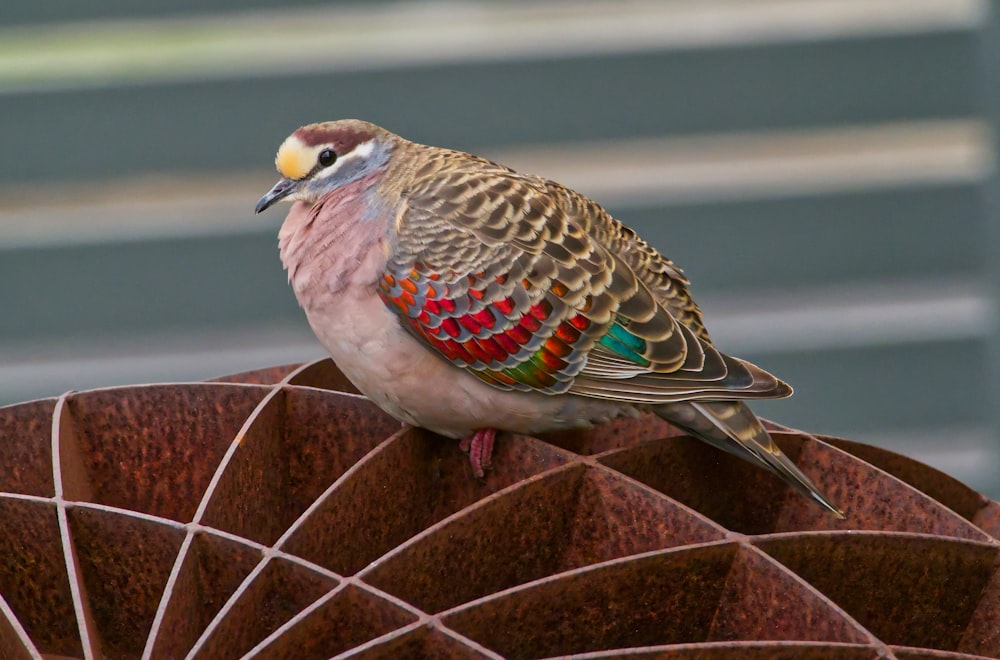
(467, 298)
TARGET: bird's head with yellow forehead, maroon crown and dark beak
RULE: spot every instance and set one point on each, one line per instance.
(318, 158)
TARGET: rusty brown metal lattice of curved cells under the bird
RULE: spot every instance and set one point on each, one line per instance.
(278, 514)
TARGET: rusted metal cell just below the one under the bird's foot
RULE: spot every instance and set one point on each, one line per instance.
(544, 526)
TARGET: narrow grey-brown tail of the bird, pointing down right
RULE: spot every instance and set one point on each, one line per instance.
(732, 427)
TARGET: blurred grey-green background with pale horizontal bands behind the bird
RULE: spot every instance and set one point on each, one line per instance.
(822, 169)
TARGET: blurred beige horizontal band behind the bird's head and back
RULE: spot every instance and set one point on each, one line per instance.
(619, 174)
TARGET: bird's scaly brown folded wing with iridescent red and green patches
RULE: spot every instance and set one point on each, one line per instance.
(531, 286)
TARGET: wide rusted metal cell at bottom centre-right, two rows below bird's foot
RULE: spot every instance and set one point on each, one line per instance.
(669, 597)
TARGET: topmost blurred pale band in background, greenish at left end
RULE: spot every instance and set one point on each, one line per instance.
(384, 36)
